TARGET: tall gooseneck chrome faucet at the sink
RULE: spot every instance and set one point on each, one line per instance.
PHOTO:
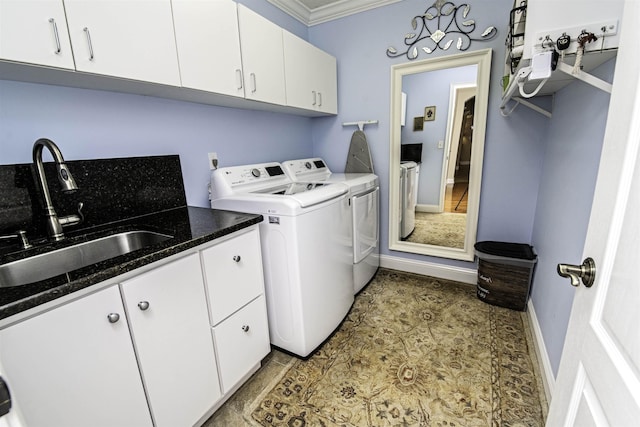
(54, 223)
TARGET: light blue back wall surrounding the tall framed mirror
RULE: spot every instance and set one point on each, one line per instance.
(514, 148)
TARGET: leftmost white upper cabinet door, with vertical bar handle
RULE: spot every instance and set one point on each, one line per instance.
(35, 31)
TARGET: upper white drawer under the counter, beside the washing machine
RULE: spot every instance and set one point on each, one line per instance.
(233, 271)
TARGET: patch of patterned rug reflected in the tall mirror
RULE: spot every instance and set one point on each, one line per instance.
(439, 229)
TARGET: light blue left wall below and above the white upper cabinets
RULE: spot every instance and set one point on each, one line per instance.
(89, 124)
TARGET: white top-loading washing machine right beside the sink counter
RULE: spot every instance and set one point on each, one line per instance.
(307, 265)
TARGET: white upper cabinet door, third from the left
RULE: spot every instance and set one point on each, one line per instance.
(208, 45)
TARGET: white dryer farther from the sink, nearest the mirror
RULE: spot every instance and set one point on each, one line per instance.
(364, 194)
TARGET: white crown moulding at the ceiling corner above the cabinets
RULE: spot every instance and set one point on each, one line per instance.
(312, 12)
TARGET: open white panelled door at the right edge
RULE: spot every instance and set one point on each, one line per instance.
(598, 381)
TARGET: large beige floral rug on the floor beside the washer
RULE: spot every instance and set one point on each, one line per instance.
(413, 351)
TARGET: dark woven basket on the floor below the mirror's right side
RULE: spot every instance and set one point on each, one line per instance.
(505, 281)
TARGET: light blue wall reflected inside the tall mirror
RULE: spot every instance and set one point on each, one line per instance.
(424, 89)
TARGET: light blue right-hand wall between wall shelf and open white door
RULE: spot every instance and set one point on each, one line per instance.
(564, 202)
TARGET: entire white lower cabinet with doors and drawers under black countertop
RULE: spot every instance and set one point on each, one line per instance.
(144, 352)
